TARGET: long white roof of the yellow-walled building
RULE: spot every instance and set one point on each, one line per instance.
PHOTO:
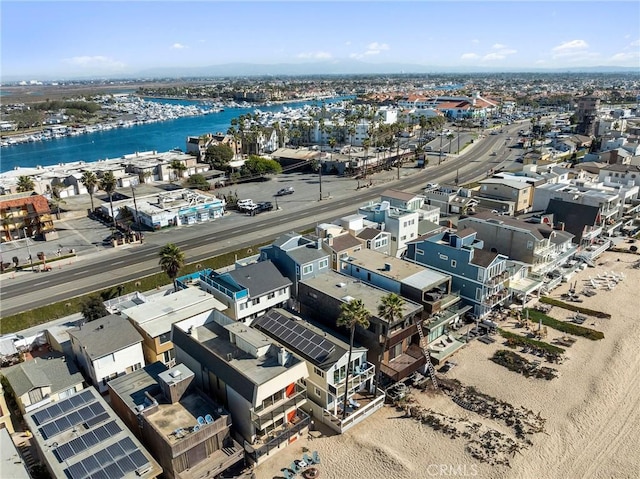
(156, 316)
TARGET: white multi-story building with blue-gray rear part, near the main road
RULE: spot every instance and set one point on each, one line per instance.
(400, 222)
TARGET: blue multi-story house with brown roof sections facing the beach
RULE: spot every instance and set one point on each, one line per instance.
(479, 275)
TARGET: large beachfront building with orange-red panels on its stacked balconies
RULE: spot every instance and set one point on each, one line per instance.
(256, 380)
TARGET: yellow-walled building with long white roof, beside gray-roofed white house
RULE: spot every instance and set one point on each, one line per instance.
(153, 319)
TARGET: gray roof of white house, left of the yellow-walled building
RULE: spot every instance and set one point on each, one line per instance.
(106, 335)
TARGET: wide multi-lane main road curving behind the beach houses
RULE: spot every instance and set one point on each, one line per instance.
(114, 267)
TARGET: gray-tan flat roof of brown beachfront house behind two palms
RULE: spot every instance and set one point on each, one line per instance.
(345, 288)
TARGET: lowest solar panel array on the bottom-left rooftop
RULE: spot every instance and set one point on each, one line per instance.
(116, 460)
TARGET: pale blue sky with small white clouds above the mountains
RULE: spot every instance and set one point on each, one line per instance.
(69, 39)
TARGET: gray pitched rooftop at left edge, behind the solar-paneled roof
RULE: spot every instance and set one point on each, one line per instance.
(54, 371)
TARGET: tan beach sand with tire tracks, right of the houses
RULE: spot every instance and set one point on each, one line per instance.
(592, 409)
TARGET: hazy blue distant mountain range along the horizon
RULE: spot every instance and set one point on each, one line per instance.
(332, 67)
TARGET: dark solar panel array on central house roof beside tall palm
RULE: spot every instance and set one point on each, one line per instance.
(303, 339)
